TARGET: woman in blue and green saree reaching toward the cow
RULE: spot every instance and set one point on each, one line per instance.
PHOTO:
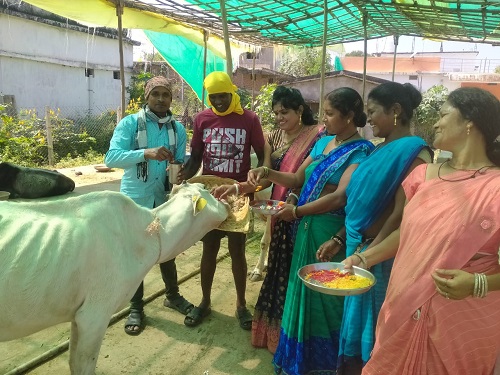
(310, 325)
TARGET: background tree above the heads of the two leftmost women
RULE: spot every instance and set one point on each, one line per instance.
(304, 61)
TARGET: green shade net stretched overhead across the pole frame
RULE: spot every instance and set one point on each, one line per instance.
(301, 22)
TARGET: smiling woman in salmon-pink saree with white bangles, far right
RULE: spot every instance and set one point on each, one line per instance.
(441, 314)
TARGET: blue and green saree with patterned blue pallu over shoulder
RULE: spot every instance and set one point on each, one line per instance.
(308, 341)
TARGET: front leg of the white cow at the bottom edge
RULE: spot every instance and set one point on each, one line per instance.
(87, 333)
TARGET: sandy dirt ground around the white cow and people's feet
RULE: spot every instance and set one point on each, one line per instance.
(167, 346)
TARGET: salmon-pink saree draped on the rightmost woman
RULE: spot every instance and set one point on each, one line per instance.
(419, 331)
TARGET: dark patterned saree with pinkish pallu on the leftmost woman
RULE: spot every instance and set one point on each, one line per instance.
(268, 312)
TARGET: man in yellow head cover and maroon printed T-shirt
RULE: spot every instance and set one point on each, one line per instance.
(223, 137)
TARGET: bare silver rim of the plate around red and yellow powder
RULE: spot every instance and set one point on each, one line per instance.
(332, 291)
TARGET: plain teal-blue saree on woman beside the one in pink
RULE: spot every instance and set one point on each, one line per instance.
(372, 187)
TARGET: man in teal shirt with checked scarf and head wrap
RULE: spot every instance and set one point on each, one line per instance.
(143, 144)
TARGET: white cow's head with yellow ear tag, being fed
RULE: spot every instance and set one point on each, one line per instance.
(189, 214)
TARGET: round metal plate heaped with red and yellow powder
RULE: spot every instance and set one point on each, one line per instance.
(331, 278)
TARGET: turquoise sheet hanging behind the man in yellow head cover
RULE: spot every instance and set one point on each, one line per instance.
(186, 58)
